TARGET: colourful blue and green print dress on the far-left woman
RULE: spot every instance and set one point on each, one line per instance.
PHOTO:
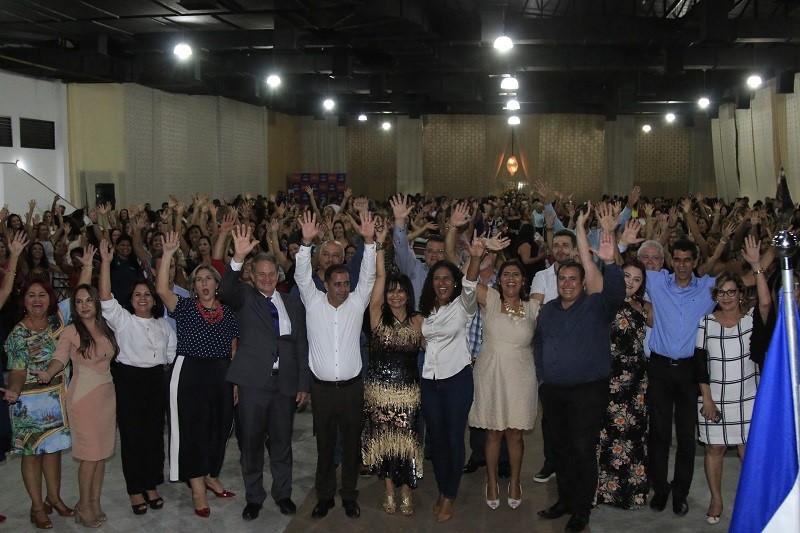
(38, 421)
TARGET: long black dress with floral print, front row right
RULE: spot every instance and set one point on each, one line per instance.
(622, 447)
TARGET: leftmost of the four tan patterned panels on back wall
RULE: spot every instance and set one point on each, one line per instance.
(371, 159)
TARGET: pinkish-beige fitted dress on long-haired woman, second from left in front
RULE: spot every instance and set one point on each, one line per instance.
(91, 400)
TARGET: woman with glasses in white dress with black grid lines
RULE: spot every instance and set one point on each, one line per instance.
(727, 374)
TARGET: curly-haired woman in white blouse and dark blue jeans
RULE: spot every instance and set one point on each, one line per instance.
(447, 303)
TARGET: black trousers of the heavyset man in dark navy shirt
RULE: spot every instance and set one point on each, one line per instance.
(575, 425)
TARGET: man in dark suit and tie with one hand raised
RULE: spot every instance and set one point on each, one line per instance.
(270, 370)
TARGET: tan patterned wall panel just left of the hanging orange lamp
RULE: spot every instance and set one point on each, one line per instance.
(453, 149)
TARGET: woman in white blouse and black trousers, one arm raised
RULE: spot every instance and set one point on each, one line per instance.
(146, 349)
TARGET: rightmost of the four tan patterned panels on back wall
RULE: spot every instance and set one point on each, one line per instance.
(663, 160)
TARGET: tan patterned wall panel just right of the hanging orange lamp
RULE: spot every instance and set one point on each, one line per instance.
(572, 153)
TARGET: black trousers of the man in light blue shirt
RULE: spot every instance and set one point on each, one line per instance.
(672, 389)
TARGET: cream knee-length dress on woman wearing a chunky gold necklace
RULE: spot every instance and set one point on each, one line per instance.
(504, 375)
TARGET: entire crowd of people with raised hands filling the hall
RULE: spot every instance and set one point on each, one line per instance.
(405, 321)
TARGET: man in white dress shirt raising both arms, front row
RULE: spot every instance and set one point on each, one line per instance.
(334, 319)
